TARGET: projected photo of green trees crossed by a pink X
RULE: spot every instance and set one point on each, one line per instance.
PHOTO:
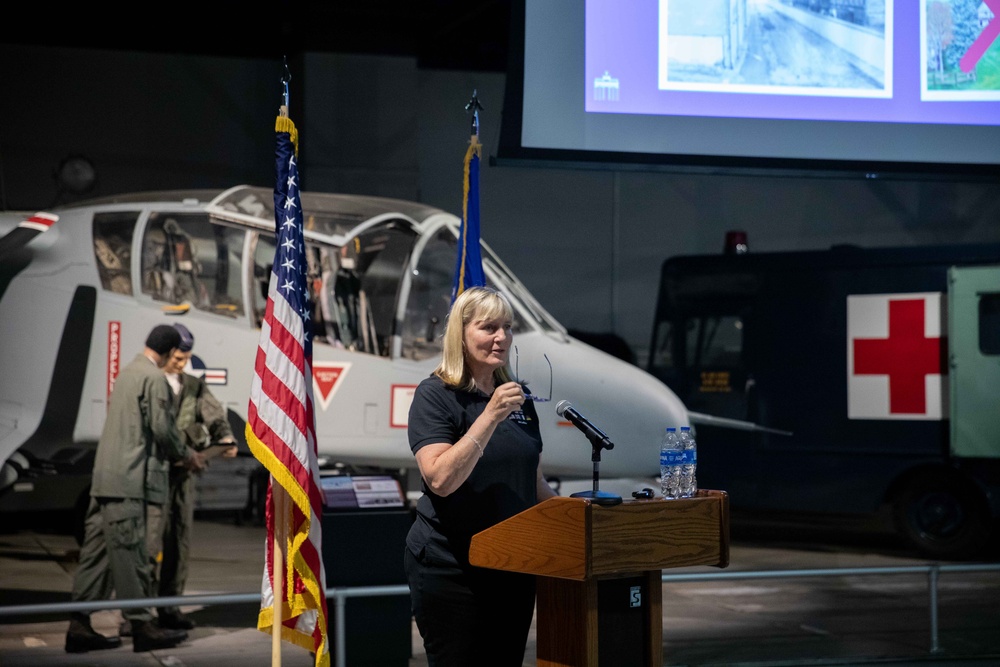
(960, 42)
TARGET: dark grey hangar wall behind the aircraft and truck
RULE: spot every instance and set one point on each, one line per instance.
(588, 243)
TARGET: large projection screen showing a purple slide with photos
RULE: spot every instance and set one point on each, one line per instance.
(704, 83)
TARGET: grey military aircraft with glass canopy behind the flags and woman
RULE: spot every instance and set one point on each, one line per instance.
(77, 301)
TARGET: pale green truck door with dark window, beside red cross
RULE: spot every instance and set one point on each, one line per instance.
(974, 355)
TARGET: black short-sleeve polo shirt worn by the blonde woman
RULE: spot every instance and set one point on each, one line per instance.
(501, 485)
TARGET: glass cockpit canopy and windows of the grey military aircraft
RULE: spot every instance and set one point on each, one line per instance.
(380, 270)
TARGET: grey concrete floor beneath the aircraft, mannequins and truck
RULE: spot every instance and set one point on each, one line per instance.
(844, 620)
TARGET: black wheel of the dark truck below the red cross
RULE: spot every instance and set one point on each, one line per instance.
(943, 517)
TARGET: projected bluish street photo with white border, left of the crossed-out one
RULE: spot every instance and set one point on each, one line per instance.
(802, 47)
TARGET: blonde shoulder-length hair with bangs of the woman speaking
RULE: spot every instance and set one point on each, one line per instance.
(472, 305)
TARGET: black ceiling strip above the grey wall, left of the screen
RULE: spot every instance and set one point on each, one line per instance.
(441, 34)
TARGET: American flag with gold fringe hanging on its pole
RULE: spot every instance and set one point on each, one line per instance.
(281, 423)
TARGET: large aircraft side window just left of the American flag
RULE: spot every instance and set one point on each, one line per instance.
(186, 258)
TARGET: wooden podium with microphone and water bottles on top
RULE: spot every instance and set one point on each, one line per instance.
(599, 582)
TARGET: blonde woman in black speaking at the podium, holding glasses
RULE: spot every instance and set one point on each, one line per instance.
(477, 444)
